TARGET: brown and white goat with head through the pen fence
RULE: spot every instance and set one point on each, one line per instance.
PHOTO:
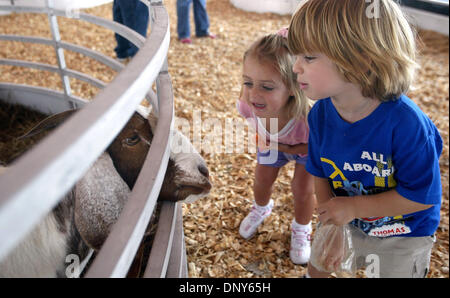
(84, 217)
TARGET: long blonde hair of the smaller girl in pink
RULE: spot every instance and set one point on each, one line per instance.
(273, 49)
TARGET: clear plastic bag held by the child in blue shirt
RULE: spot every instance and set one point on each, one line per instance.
(332, 250)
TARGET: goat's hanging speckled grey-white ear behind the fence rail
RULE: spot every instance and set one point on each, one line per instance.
(99, 199)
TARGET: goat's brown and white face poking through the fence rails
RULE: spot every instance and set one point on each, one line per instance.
(187, 176)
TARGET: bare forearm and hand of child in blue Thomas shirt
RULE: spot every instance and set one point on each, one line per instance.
(341, 210)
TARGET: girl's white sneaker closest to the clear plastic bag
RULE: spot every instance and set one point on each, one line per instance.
(300, 243)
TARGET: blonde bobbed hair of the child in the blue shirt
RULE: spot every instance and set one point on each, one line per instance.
(371, 43)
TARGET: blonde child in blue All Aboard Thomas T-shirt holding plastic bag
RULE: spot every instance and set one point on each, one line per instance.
(373, 152)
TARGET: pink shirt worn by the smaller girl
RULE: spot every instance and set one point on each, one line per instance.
(294, 132)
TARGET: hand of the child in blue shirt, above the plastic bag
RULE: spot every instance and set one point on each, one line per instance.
(338, 211)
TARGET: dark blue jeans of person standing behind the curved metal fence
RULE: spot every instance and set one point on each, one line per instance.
(134, 15)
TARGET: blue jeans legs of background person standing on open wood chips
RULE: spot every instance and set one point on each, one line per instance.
(201, 18)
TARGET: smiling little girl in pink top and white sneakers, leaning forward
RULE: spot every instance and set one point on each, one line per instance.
(274, 105)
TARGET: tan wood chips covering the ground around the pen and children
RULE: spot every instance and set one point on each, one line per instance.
(206, 77)
